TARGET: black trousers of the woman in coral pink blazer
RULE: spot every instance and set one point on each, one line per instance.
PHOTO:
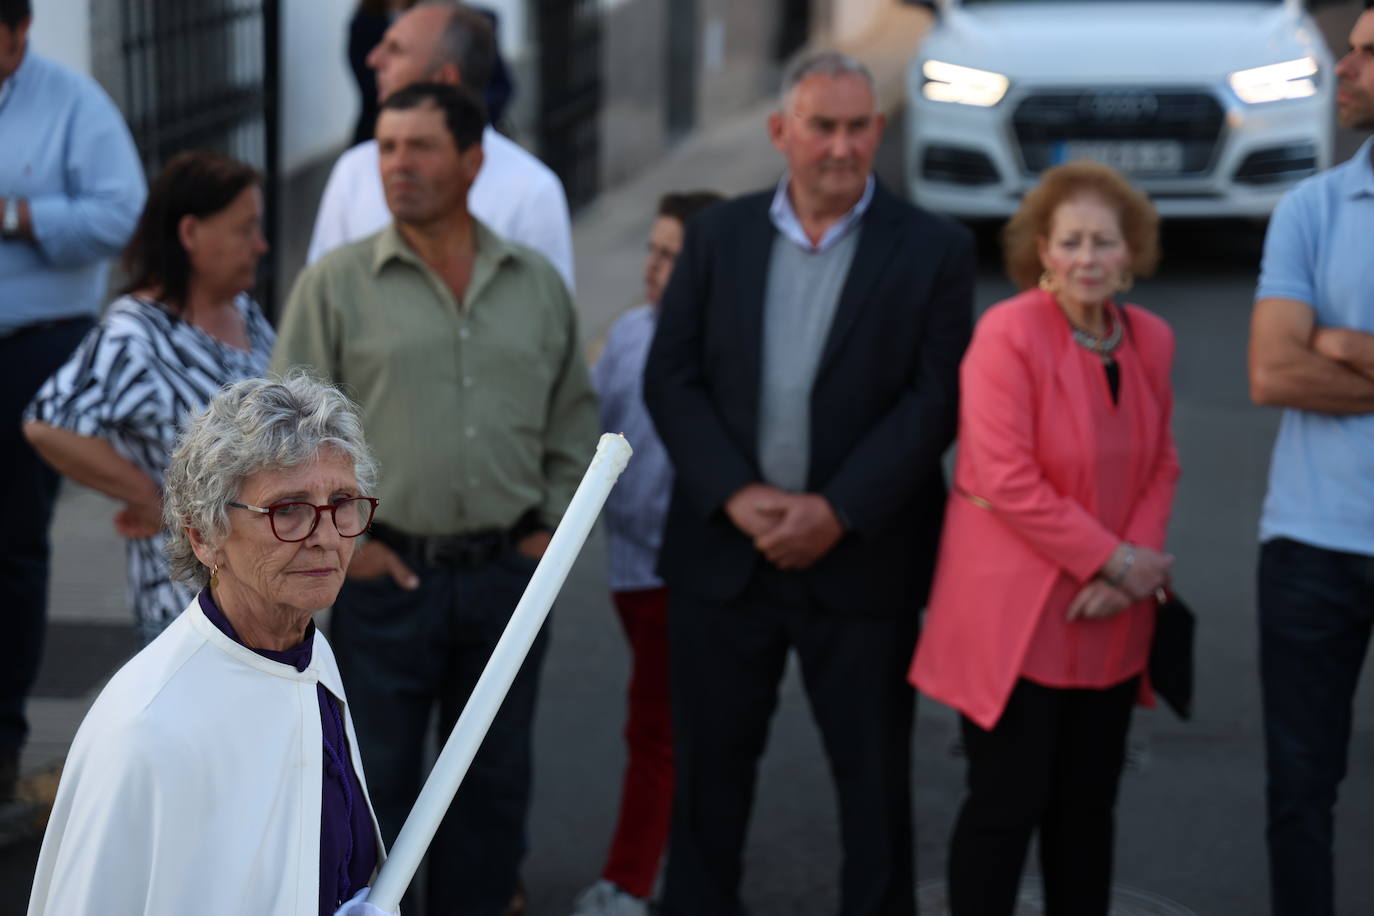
(1053, 763)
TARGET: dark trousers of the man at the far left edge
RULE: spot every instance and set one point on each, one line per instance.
(28, 491)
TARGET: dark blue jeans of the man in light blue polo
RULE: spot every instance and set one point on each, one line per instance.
(1316, 613)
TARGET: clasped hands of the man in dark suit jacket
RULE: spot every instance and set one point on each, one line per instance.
(792, 531)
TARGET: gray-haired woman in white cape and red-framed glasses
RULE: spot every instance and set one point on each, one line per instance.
(218, 772)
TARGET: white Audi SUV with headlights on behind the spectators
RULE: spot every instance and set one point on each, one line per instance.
(1215, 108)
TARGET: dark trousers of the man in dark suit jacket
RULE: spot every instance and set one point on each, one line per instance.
(726, 663)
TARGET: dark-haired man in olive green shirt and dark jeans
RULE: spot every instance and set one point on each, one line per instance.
(462, 351)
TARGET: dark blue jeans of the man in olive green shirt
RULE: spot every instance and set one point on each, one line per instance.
(402, 654)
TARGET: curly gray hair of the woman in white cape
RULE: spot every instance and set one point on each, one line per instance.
(248, 428)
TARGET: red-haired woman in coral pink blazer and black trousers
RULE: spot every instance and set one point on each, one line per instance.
(1041, 615)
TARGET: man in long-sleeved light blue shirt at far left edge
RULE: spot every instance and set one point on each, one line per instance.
(71, 193)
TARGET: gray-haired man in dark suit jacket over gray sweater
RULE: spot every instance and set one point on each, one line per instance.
(804, 378)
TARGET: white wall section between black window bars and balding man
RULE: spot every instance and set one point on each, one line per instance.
(319, 98)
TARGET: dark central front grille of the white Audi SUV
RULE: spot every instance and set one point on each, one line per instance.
(1046, 119)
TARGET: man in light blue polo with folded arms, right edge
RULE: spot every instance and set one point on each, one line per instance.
(1313, 354)
